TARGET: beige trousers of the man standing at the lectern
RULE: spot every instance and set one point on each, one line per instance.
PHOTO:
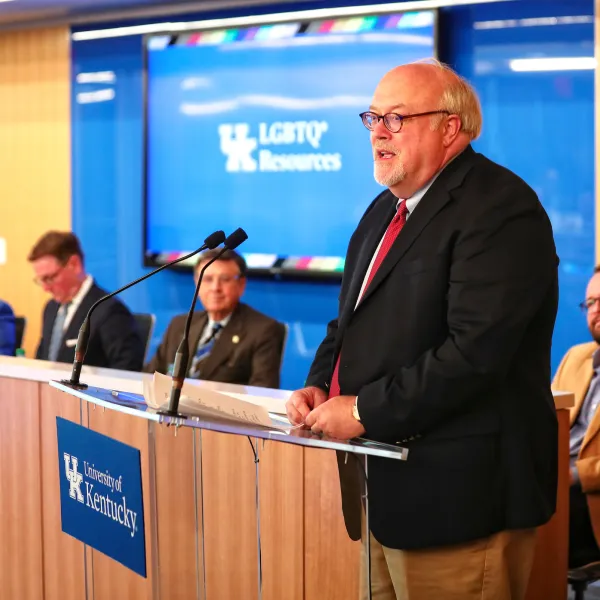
(492, 568)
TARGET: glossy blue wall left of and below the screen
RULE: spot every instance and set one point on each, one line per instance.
(108, 209)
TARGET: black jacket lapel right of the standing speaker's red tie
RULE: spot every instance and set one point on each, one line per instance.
(432, 202)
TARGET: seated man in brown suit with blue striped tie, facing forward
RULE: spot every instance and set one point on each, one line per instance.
(229, 341)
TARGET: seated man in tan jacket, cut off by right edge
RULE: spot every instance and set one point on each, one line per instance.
(579, 372)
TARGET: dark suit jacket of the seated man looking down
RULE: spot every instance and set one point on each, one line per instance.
(114, 341)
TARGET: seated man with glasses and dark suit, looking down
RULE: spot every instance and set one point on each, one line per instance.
(114, 341)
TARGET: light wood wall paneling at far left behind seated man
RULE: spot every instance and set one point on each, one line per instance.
(35, 158)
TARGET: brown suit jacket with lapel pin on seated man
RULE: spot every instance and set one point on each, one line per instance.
(254, 359)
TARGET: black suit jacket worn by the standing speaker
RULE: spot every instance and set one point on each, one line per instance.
(449, 354)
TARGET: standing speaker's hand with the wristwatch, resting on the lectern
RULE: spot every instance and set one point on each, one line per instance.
(335, 418)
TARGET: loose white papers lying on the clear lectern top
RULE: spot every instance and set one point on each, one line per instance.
(201, 402)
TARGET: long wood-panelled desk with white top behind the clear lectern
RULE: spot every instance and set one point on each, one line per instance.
(197, 550)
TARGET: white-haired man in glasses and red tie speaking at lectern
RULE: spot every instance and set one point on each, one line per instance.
(442, 345)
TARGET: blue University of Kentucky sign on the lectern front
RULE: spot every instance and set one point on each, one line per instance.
(101, 493)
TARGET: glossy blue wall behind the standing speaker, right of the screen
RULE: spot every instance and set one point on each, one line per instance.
(539, 124)
